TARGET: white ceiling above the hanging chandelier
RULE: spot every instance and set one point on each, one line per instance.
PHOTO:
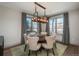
(51, 7)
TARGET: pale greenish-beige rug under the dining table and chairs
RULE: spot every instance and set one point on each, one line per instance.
(19, 51)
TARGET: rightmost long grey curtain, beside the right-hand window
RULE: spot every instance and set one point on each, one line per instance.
(66, 34)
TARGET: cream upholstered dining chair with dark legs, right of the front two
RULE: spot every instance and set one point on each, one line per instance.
(50, 43)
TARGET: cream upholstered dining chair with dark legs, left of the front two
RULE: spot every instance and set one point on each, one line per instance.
(33, 45)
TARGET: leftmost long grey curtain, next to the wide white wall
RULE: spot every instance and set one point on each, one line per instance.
(23, 27)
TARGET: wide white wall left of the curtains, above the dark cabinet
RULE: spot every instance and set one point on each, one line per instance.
(10, 26)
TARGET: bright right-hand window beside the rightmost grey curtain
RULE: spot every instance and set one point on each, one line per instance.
(56, 24)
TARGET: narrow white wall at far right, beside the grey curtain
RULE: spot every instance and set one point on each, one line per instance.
(74, 27)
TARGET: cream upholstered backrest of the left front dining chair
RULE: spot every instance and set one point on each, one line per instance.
(32, 42)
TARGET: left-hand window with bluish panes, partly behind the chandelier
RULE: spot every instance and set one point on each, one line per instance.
(30, 25)
